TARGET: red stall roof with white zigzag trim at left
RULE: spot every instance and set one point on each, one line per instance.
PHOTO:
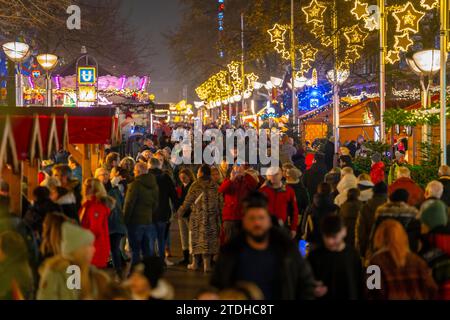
(35, 132)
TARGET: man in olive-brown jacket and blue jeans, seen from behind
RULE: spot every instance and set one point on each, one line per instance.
(141, 202)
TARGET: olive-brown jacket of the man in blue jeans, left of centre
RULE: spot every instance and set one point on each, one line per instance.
(141, 200)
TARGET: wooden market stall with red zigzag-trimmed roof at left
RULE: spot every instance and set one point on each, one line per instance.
(28, 135)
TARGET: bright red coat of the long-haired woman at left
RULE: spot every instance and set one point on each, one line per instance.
(94, 217)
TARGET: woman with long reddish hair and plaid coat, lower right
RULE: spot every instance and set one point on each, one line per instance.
(404, 275)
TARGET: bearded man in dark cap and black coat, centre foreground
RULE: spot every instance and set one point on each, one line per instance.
(281, 272)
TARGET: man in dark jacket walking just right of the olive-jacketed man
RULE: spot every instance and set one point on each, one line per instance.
(163, 212)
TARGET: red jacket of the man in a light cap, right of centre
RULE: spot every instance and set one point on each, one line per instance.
(282, 203)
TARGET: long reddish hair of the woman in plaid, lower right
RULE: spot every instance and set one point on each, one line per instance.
(391, 236)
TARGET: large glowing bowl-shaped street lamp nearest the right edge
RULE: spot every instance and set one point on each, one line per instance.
(426, 63)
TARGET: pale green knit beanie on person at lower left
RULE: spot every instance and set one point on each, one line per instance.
(74, 237)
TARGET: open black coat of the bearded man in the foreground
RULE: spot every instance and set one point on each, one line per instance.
(295, 280)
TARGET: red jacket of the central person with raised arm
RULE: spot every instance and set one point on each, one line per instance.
(234, 192)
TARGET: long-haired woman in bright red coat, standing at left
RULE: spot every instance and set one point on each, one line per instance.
(94, 215)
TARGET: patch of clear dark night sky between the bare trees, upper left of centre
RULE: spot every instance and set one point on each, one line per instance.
(155, 17)
